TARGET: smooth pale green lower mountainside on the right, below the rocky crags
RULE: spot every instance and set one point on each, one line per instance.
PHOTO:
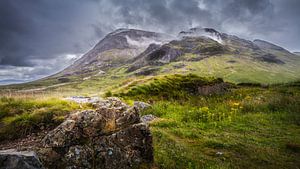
(243, 70)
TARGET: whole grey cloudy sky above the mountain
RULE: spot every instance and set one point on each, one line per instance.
(39, 38)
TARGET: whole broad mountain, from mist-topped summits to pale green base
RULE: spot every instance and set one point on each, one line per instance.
(128, 56)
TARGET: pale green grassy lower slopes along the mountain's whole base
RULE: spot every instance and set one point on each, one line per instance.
(244, 69)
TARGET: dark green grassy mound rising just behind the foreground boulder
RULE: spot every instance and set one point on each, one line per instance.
(170, 86)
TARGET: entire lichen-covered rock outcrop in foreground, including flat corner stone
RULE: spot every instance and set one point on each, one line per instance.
(112, 136)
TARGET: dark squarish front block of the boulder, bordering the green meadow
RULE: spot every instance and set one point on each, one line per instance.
(125, 149)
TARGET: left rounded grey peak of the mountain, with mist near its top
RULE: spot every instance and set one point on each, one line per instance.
(116, 49)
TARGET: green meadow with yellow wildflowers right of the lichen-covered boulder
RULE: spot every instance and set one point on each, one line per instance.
(249, 127)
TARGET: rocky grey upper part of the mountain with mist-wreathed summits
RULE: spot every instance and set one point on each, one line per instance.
(145, 52)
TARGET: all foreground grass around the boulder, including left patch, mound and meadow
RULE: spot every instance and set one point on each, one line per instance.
(248, 126)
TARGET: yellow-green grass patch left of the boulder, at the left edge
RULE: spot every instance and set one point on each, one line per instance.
(19, 117)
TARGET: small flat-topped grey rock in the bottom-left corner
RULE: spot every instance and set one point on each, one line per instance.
(13, 159)
